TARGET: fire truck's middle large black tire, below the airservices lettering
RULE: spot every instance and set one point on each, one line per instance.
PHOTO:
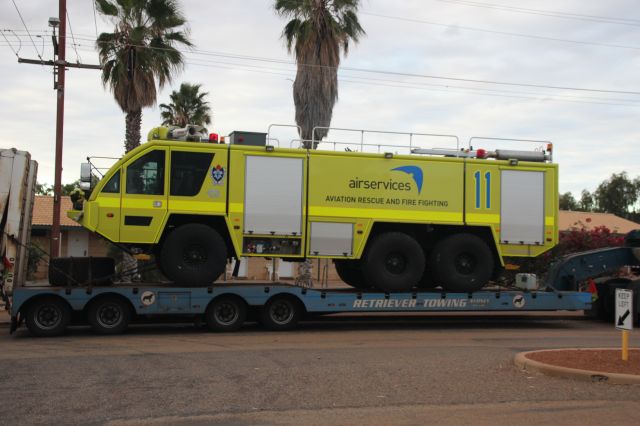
(394, 262)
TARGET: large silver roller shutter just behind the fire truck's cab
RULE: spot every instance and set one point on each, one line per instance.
(273, 195)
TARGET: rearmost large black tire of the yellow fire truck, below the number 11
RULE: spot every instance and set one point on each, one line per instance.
(462, 263)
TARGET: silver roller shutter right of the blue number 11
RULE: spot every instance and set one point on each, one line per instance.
(522, 207)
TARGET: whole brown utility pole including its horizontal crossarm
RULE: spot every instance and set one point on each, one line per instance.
(59, 67)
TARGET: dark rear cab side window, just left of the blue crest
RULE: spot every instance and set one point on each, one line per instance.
(188, 170)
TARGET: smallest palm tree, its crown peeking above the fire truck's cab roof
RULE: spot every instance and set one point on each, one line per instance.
(187, 106)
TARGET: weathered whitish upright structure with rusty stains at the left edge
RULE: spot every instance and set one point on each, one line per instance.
(17, 188)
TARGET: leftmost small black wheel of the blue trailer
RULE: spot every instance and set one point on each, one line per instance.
(48, 317)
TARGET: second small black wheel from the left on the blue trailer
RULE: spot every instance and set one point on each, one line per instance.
(109, 315)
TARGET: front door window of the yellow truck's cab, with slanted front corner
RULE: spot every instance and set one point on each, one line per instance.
(146, 174)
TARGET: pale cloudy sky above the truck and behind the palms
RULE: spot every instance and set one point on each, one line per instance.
(386, 81)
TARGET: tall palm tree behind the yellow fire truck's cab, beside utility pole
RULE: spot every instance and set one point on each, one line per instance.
(138, 53)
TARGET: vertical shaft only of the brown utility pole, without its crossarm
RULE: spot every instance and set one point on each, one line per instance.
(54, 250)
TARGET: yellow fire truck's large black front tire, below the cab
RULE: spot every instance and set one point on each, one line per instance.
(193, 254)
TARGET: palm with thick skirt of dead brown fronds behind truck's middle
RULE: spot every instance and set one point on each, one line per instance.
(316, 33)
